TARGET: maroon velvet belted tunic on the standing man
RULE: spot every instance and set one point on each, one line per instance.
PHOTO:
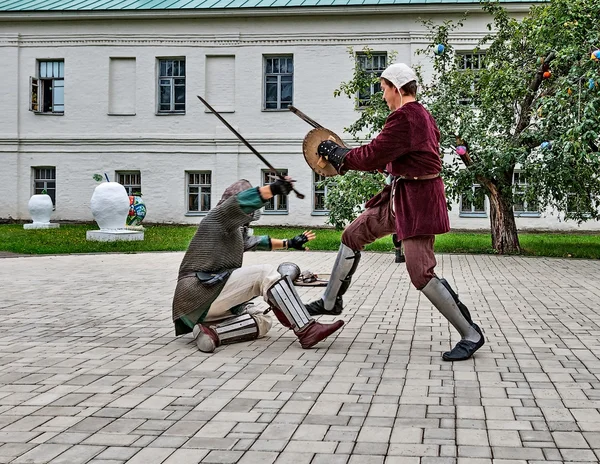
(408, 145)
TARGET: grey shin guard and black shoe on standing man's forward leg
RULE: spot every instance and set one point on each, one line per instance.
(341, 276)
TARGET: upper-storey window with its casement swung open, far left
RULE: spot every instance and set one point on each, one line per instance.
(40, 86)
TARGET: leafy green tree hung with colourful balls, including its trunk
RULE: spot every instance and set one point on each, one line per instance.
(533, 106)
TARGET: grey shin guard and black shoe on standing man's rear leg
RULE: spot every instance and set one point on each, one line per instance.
(472, 338)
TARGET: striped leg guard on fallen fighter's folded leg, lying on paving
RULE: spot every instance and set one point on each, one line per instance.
(233, 330)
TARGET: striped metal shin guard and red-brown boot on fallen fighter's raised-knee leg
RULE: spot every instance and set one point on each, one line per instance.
(290, 311)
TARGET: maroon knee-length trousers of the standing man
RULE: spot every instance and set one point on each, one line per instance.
(379, 221)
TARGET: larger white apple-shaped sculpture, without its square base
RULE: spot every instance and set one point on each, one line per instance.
(110, 205)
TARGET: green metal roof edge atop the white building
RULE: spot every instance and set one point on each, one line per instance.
(181, 5)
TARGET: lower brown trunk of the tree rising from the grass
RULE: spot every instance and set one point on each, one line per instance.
(505, 238)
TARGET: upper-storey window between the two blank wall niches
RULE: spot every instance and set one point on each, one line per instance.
(171, 85)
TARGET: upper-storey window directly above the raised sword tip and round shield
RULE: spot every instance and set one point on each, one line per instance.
(279, 82)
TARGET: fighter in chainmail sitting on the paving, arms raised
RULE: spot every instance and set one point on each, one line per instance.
(213, 287)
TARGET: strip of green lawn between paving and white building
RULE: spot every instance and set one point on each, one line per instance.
(71, 239)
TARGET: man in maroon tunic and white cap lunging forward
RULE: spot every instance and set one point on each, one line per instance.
(413, 206)
